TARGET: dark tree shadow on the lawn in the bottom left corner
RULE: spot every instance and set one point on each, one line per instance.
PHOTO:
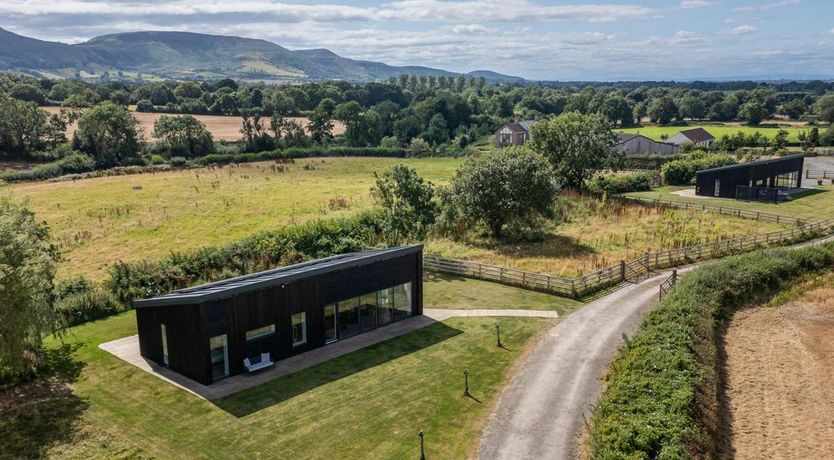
(38, 414)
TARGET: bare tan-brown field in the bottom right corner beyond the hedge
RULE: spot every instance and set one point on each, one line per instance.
(779, 367)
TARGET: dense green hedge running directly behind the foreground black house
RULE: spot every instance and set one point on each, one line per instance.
(129, 281)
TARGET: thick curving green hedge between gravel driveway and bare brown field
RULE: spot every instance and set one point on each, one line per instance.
(661, 400)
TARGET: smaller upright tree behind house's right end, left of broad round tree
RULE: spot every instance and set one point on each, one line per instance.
(407, 203)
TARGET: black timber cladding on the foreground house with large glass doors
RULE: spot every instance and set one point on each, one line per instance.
(190, 327)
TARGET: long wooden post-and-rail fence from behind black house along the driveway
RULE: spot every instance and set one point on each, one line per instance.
(631, 270)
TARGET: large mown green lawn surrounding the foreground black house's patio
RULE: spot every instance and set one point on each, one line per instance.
(368, 404)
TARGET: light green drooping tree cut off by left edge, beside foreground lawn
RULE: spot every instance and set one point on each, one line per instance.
(27, 270)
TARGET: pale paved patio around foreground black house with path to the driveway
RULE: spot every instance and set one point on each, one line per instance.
(127, 349)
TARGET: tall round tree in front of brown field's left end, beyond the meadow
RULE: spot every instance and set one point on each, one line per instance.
(108, 132)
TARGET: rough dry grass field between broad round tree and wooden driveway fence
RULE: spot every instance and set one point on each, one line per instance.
(597, 235)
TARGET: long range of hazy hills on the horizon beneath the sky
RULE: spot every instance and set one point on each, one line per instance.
(185, 55)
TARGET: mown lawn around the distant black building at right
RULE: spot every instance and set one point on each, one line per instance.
(814, 204)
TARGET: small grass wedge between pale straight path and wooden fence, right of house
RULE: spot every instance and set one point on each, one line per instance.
(456, 292)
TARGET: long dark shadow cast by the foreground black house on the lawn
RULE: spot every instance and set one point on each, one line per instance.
(275, 391)
